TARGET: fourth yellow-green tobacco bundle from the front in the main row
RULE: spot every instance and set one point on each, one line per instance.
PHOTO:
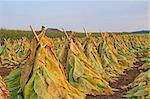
(109, 58)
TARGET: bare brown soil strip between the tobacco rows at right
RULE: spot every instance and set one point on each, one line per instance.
(121, 84)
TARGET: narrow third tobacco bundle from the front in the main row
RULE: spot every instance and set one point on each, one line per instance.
(91, 51)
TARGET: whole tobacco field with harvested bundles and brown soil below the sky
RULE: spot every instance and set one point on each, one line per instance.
(74, 65)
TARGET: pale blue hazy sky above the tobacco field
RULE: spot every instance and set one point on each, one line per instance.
(93, 15)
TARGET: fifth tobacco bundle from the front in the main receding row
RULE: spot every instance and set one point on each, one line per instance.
(125, 57)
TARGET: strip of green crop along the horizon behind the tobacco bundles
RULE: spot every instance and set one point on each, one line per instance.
(18, 34)
